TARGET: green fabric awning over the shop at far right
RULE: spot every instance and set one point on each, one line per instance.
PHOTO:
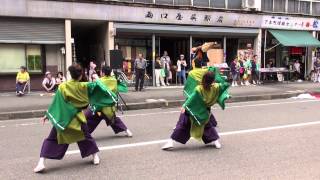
(295, 38)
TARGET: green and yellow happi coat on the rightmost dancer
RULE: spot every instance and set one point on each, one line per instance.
(199, 101)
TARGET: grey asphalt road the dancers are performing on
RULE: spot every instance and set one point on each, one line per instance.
(260, 140)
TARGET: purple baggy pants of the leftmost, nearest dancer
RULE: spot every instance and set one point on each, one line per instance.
(52, 150)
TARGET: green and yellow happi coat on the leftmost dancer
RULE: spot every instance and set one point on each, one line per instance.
(65, 112)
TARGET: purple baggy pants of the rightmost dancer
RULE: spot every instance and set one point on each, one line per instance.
(182, 131)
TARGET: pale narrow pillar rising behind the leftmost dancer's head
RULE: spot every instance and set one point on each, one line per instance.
(68, 48)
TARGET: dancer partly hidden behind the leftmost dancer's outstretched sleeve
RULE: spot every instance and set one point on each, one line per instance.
(108, 113)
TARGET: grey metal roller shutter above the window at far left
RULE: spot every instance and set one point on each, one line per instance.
(35, 31)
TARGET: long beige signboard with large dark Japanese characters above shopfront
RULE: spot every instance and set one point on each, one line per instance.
(176, 16)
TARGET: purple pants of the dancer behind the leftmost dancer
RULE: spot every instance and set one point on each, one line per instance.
(93, 120)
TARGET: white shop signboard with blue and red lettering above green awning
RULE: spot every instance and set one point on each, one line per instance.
(291, 23)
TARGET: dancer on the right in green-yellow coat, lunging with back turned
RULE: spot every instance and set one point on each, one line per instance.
(196, 119)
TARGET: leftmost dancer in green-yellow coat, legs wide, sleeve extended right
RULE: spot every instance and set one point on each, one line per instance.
(70, 125)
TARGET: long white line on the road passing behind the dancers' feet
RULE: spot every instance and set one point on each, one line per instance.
(247, 131)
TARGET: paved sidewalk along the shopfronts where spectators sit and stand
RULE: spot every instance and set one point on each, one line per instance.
(39, 101)
